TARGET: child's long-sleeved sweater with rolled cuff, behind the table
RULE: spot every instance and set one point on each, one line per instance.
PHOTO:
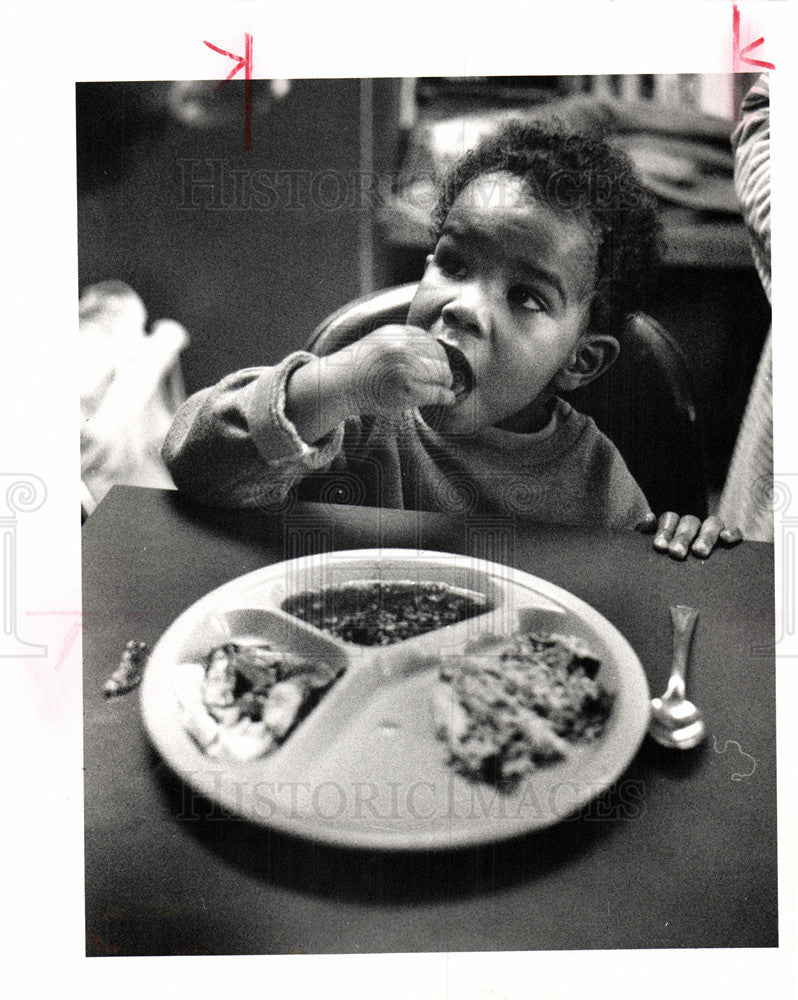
(232, 445)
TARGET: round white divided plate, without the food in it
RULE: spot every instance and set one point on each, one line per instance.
(365, 768)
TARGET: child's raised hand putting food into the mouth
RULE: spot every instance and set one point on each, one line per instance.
(397, 368)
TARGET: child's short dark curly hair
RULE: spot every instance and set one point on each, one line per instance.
(580, 175)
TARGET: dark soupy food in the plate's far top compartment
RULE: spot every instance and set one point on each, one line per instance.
(376, 613)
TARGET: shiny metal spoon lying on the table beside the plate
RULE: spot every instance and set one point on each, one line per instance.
(675, 721)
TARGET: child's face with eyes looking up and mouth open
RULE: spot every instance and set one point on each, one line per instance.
(510, 284)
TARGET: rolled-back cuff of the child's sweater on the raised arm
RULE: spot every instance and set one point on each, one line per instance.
(273, 434)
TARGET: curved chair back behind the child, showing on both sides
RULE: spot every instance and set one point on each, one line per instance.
(644, 404)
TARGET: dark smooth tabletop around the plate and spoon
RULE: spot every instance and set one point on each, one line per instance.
(681, 853)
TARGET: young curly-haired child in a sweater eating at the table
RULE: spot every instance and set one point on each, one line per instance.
(542, 240)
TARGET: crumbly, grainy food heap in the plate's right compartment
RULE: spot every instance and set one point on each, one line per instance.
(526, 702)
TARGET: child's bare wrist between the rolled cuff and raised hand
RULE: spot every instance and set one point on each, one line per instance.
(318, 397)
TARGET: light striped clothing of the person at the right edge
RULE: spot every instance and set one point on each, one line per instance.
(747, 494)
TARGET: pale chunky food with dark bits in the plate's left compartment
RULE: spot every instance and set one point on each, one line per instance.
(245, 697)
